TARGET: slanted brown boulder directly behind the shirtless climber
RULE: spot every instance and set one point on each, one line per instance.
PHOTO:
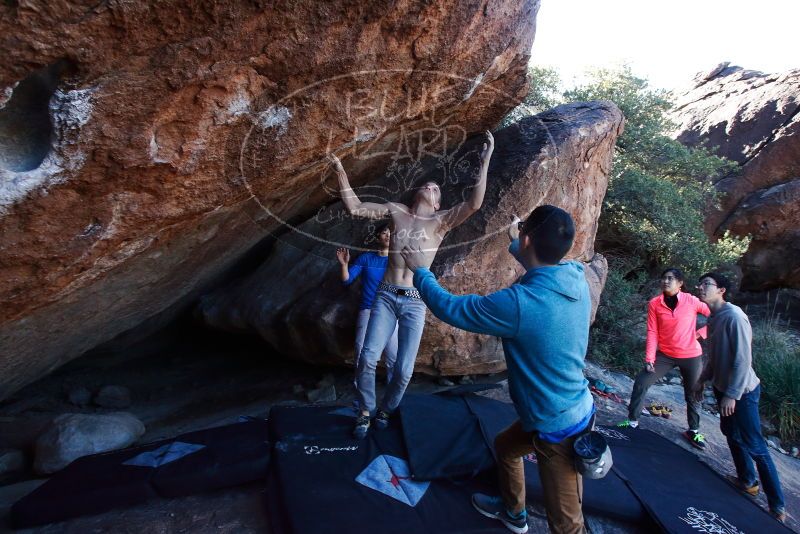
(296, 302)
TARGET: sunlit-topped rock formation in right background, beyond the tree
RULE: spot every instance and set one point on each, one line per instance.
(754, 119)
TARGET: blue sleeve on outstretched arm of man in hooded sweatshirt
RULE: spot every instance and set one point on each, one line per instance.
(496, 314)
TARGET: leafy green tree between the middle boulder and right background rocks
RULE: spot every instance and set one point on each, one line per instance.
(658, 189)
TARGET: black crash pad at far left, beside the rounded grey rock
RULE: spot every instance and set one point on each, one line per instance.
(221, 457)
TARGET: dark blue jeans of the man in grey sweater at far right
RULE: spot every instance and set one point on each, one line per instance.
(743, 430)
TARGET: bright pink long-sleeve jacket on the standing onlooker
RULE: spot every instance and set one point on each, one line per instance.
(674, 332)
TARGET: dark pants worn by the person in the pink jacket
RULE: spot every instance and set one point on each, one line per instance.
(690, 372)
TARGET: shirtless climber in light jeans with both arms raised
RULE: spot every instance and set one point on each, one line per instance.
(424, 226)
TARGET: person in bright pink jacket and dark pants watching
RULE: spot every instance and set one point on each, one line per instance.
(672, 342)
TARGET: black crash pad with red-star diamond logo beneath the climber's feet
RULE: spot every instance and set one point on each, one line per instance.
(313, 481)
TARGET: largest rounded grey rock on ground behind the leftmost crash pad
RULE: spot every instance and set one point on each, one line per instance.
(71, 436)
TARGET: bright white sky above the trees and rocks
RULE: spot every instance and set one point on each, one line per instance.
(667, 42)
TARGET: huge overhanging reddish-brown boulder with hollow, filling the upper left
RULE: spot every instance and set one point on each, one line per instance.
(146, 146)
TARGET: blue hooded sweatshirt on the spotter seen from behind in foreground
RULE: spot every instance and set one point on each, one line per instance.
(543, 321)
